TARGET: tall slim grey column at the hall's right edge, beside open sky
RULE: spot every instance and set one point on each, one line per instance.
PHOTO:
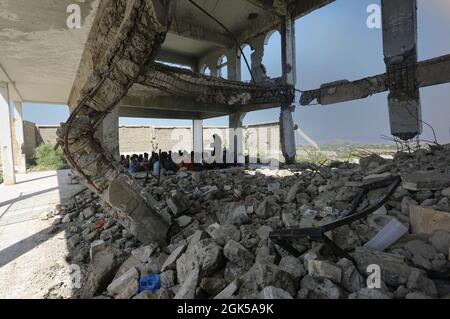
(287, 126)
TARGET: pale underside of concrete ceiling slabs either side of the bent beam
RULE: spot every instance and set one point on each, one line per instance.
(40, 55)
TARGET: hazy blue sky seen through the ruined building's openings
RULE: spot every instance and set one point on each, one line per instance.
(334, 43)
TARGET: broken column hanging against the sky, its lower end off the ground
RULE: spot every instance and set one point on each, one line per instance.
(400, 53)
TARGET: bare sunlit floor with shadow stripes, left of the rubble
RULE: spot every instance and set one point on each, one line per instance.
(32, 253)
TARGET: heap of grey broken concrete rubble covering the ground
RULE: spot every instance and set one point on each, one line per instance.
(219, 246)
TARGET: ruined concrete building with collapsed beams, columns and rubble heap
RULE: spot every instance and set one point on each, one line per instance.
(302, 231)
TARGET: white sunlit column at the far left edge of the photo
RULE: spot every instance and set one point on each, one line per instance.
(6, 142)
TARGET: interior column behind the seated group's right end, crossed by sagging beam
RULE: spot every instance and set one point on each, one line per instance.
(236, 131)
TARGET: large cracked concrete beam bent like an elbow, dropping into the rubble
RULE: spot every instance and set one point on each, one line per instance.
(127, 34)
